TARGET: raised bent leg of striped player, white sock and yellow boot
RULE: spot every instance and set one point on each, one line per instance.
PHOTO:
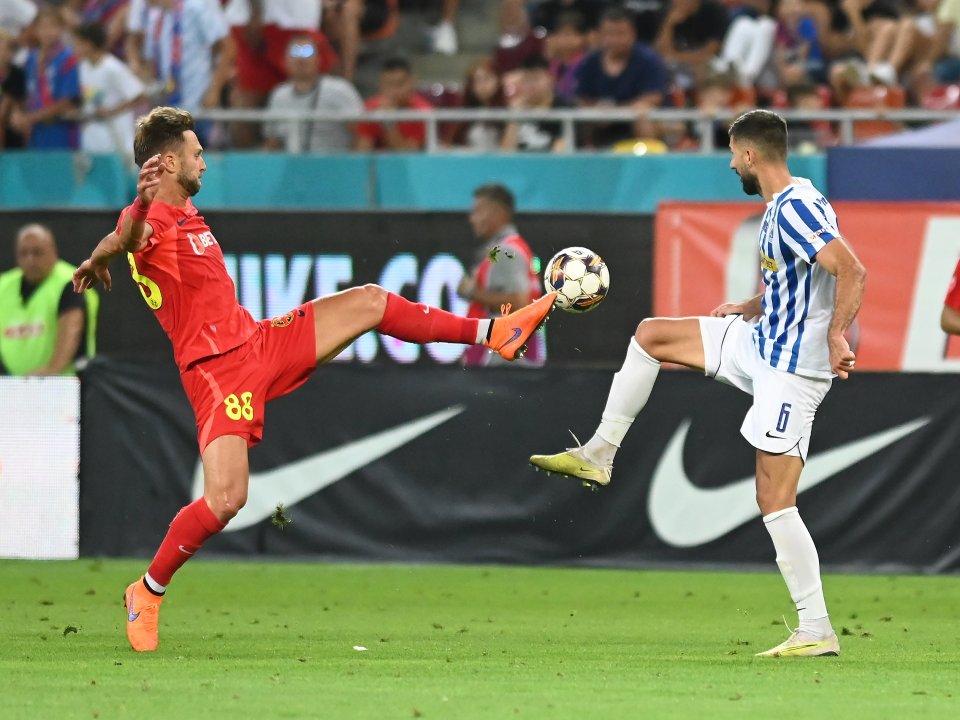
(657, 340)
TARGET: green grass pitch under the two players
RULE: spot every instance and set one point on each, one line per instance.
(256, 640)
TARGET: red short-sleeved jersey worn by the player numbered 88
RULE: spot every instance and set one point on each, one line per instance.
(184, 280)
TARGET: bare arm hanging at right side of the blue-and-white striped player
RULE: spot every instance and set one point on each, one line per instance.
(837, 258)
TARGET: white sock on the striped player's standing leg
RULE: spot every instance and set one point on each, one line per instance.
(800, 567)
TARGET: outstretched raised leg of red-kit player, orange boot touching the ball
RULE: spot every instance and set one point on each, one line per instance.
(342, 317)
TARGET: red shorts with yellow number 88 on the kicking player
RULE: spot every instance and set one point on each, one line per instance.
(228, 392)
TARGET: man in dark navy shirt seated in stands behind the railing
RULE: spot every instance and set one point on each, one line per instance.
(621, 73)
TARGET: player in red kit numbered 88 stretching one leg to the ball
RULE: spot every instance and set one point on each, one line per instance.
(230, 364)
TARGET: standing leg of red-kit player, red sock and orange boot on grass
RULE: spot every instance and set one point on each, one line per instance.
(225, 478)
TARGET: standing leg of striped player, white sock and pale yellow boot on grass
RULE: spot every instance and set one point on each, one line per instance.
(777, 480)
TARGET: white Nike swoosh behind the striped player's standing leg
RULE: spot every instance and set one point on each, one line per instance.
(684, 515)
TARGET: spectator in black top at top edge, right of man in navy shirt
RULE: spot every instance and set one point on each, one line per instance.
(690, 38)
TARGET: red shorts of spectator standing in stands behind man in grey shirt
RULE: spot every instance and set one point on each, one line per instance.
(262, 69)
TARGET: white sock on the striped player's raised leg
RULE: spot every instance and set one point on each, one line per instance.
(628, 395)
